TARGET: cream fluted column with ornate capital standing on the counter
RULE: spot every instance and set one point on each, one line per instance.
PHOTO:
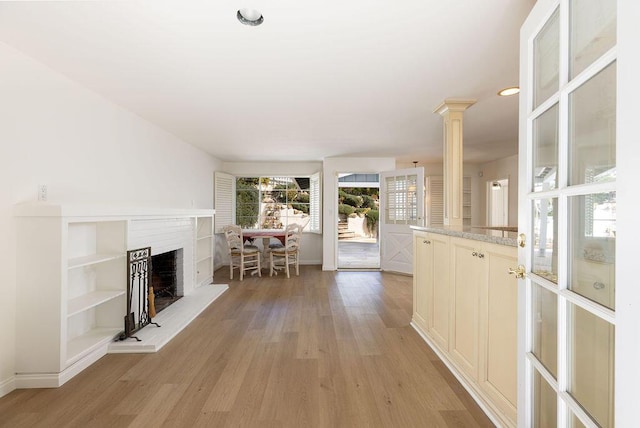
(451, 111)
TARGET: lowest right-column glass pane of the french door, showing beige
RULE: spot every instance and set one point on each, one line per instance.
(591, 363)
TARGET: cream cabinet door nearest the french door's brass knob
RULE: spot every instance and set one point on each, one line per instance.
(498, 328)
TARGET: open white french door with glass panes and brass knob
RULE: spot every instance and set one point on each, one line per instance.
(567, 211)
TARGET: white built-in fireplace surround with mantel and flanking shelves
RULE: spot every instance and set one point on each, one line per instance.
(72, 280)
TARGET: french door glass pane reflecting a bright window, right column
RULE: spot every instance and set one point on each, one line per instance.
(592, 247)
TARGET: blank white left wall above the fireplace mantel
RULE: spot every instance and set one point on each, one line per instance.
(88, 151)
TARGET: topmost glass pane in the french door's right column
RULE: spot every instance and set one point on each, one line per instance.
(593, 31)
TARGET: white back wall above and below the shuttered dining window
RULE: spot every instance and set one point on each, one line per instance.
(311, 245)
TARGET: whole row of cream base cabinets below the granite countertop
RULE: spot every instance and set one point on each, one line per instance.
(465, 306)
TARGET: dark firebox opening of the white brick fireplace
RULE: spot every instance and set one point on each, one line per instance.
(166, 278)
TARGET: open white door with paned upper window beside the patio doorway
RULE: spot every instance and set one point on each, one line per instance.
(401, 206)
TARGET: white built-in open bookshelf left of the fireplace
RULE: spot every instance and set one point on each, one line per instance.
(72, 282)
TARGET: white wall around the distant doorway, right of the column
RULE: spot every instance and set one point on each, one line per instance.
(493, 171)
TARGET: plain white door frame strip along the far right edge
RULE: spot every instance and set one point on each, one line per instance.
(628, 158)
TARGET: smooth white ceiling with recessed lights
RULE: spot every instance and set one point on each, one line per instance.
(317, 79)
